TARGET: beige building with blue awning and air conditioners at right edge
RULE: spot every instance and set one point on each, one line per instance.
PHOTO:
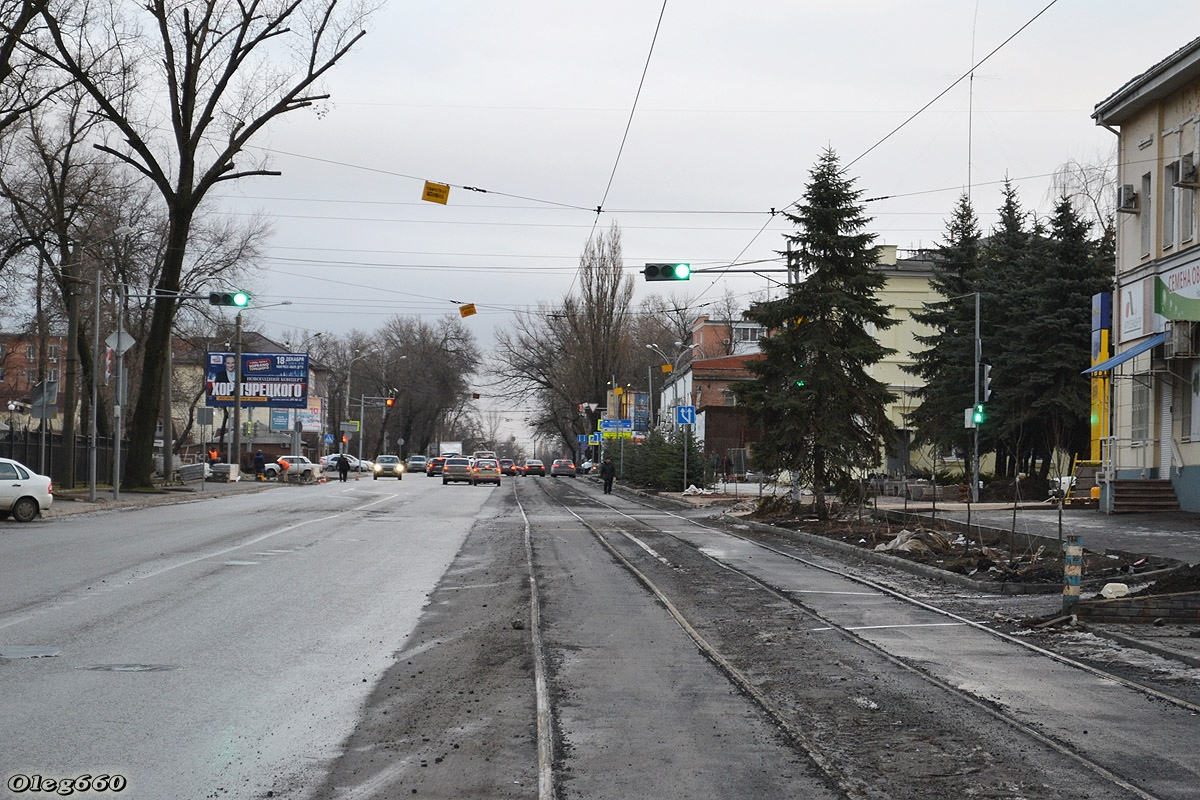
(1155, 405)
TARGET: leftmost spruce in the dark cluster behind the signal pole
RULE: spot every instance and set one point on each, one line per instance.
(947, 364)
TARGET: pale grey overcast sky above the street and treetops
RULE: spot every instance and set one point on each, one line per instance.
(531, 101)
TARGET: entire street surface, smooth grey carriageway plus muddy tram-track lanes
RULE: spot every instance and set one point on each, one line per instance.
(376, 640)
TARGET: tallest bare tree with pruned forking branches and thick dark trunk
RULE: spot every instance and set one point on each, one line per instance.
(224, 69)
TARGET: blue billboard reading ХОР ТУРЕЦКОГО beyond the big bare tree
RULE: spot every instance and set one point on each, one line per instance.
(268, 380)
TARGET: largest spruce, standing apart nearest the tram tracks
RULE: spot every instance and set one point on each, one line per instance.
(819, 411)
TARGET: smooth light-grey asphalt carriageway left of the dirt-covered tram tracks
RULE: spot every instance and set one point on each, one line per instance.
(219, 648)
